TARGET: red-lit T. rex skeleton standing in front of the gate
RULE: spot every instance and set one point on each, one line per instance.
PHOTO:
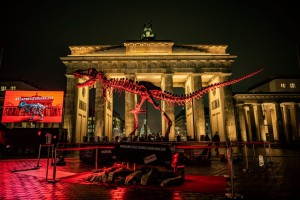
(148, 91)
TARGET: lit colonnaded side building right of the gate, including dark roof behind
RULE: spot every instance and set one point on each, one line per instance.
(270, 111)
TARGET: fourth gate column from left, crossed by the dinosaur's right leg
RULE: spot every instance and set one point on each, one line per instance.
(167, 85)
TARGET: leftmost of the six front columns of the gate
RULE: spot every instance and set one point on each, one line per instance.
(71, 99)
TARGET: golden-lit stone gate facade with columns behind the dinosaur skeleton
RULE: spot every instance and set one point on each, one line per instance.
(166, 65)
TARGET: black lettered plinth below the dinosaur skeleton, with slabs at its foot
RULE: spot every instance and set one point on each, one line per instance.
(152, 156)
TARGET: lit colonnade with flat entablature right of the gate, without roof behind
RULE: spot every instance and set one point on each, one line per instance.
(268, 117)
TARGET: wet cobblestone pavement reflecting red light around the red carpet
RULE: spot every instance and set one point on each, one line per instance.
(277, 179)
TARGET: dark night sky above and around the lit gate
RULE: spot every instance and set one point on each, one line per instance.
(35, 34)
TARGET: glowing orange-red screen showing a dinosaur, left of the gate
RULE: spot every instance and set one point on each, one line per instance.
(32, 106)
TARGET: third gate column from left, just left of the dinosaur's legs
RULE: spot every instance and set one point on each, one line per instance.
(129, 105)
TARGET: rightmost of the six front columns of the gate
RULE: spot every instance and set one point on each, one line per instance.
(229, 120)
